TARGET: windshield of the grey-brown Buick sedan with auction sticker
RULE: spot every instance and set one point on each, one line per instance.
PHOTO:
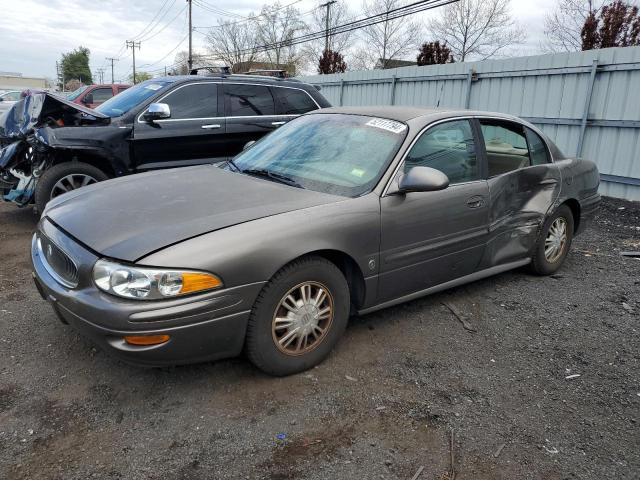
(333, 153)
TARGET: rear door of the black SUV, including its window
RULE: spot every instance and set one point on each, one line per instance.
(251, 114)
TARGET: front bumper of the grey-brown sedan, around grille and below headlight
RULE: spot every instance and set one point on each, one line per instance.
(204, 327)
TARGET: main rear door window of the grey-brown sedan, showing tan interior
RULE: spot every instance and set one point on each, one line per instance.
(506, 146)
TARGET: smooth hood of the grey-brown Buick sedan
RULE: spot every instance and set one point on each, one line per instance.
(131, 217)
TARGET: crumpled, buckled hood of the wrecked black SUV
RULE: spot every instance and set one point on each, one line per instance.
(33, 110)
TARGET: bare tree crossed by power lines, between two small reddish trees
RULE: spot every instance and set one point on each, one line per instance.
(388, 40)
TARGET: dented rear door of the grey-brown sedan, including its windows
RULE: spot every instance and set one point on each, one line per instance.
(523, 185)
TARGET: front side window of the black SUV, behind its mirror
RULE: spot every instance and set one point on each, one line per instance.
(199, 100)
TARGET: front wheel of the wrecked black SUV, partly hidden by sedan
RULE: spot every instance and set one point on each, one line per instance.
(46, 189)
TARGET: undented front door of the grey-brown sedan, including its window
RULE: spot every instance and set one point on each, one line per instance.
(430, 238)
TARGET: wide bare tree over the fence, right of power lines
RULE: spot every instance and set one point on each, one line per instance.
(477, 28)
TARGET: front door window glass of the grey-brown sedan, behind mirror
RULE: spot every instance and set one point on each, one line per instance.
(448, 147)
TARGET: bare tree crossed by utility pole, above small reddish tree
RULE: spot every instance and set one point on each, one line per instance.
(339, 14)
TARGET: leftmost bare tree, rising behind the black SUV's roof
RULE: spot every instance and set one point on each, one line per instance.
(233, 42)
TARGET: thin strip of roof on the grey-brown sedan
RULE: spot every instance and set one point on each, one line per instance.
(405, 114)
